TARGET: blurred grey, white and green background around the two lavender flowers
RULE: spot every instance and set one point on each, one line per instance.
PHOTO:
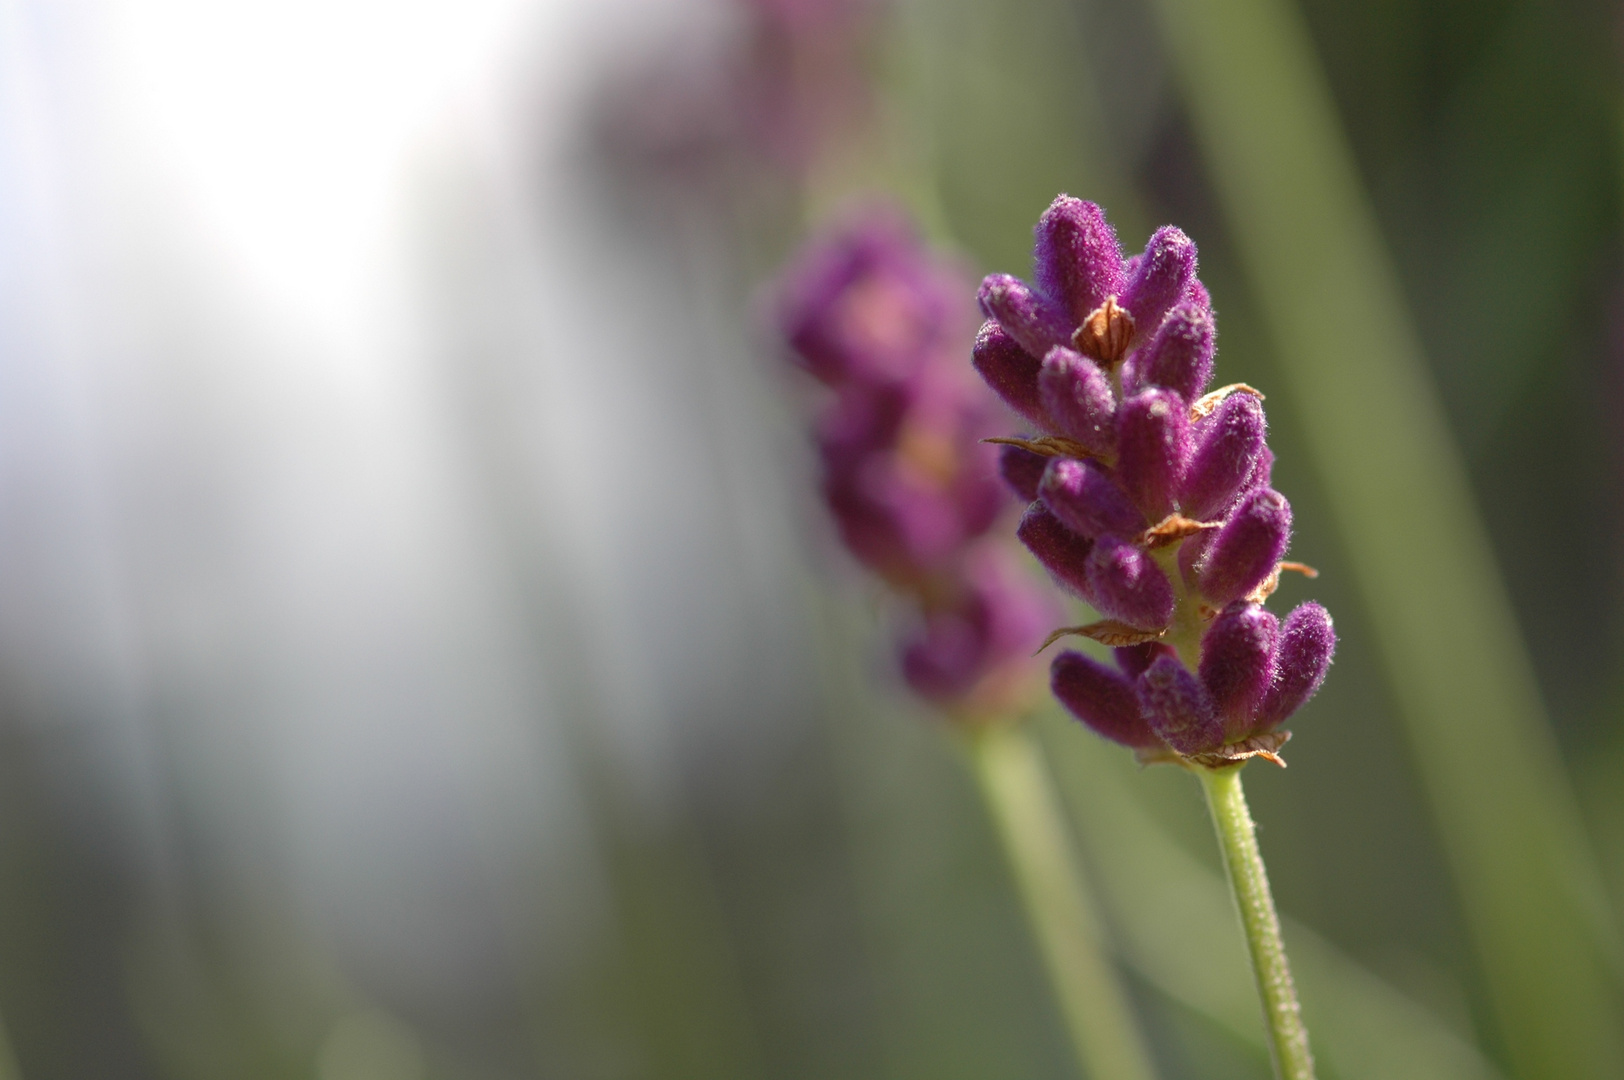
(421, 654)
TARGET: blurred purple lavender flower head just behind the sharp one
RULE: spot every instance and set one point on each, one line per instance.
(913, 491)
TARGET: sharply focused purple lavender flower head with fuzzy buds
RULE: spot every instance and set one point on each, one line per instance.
(1151, 498)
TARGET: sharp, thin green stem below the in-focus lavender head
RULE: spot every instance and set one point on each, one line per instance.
(1289, 1040)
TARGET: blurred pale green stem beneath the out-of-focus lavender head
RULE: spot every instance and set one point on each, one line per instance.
(1032, 826)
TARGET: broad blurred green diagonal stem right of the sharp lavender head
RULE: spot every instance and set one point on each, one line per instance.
(1355, 374)
